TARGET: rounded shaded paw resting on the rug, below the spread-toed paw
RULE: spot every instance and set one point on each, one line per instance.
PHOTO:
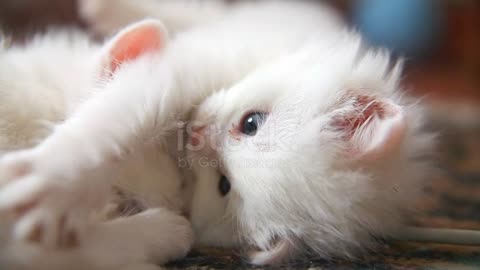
(154, 236)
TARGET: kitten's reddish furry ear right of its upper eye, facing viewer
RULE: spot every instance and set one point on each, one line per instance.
(373, 128)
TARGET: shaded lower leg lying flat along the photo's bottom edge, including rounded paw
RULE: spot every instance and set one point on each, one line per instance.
(139, 242)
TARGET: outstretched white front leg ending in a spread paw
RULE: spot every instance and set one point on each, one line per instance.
(51, 189)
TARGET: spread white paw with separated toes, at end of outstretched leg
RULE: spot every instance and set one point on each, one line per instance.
(47, 207)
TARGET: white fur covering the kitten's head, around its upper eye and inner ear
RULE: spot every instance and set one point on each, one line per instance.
(293, 181)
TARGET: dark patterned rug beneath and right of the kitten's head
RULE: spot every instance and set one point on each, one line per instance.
(452, 201)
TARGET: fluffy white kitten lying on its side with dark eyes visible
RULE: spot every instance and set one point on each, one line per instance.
(318, 149)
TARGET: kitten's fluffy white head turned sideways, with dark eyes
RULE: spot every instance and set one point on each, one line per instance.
(317, 151)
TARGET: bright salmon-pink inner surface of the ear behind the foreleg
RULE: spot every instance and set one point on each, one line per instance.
(134, 43)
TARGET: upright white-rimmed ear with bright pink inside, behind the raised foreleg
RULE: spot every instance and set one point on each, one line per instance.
(132, 42)
